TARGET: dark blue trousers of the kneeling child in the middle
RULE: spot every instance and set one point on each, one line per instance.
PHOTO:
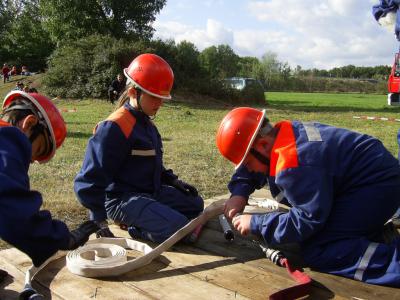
(154, 218)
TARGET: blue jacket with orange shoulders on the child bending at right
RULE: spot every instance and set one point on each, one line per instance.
(311, 166)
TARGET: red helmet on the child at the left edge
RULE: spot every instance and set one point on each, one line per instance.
(48, 114)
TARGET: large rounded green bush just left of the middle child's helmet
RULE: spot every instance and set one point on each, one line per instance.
(85, 68)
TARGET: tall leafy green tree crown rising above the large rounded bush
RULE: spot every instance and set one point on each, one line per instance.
(72, 19)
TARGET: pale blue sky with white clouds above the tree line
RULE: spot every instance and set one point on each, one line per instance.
(319, 34)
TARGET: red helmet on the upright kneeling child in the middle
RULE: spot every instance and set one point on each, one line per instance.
(151, 74)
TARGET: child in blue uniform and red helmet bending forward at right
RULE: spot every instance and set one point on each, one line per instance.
(342, 187)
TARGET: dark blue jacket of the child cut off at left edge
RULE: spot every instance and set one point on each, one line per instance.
(22, 224)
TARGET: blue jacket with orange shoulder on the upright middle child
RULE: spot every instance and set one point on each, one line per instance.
(123, 155)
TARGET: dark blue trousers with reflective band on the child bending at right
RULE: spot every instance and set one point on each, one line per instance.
(352, 245)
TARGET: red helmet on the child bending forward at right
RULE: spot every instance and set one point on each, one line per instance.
(237, 132)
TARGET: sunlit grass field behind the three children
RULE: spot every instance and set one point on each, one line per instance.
(188, 130)
